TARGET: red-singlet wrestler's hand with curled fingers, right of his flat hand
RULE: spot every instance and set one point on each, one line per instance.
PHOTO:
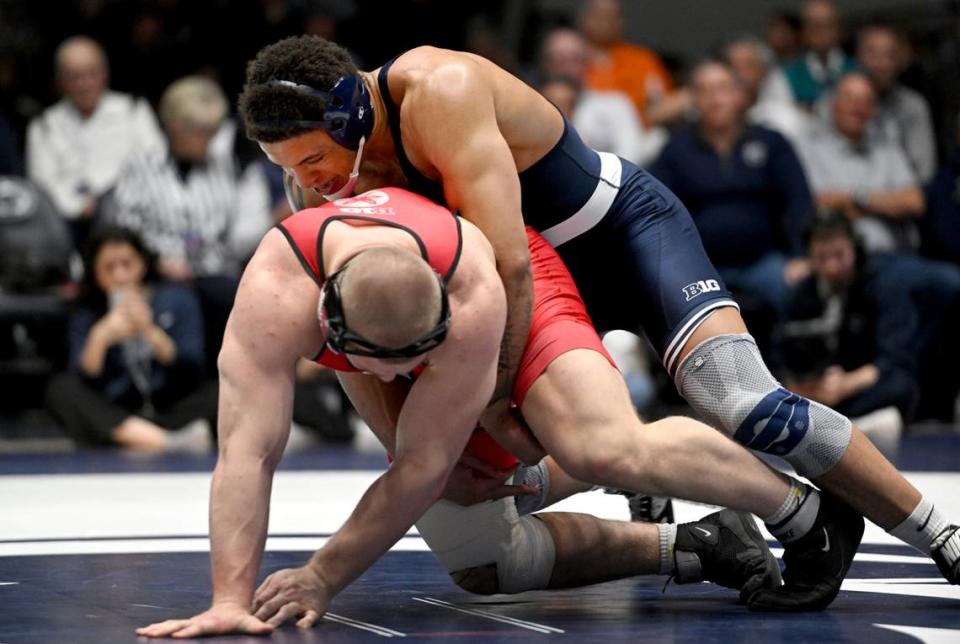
(292, 594)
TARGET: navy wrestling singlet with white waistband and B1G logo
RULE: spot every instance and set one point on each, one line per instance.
(630, 244)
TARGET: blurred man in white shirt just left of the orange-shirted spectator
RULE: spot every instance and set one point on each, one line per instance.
(606, 120)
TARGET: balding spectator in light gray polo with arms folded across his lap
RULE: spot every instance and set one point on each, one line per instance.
(867, 178)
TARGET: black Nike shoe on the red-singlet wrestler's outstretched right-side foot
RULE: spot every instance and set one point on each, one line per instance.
(817, 562)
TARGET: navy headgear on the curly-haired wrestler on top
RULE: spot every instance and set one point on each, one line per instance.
(347, 110)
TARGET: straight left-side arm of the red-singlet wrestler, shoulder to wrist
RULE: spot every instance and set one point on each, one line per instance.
(268, 330)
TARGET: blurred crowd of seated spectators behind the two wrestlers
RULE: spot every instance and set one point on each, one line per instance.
(814, 158)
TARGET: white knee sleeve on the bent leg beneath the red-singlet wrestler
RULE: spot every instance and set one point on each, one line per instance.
(491, 533)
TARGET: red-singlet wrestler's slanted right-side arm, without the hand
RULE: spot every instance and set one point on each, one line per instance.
(436, 420)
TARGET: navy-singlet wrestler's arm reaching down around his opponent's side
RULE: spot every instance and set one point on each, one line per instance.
(456, 124)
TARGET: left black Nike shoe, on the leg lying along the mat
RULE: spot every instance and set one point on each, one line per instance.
(726, 548)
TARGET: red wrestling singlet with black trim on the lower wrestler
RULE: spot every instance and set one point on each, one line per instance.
(559, 322)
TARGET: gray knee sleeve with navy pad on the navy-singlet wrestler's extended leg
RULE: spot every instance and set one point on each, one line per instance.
(725, 380)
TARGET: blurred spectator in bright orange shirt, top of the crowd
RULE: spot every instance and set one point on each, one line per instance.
(636, 71)
